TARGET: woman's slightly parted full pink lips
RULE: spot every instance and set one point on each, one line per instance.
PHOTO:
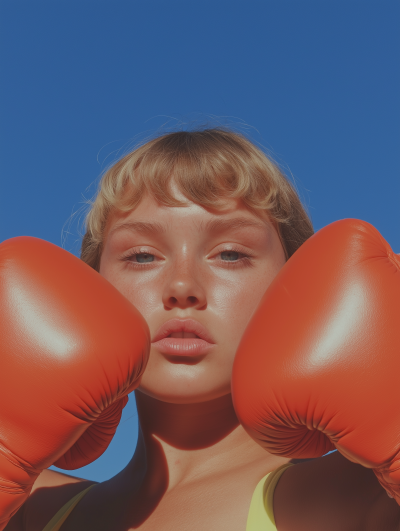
(179, 337)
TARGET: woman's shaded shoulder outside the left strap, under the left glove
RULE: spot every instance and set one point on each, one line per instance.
(50, 492)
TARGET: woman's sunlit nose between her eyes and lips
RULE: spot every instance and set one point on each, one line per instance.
(184, 290)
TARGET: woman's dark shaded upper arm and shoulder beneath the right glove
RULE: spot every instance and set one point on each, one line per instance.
(331, 494)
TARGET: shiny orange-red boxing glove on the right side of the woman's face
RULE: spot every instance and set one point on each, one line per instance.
(319, 363)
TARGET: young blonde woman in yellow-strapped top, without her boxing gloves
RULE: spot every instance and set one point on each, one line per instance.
(192, 227)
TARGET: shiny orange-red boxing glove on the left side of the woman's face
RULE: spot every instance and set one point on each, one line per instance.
(72, 348)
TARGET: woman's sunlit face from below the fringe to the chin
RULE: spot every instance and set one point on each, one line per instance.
(196, 276)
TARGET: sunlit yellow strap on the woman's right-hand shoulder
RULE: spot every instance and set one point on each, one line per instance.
(261, 512)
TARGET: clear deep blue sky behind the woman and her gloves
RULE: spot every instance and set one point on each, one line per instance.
(316, 82)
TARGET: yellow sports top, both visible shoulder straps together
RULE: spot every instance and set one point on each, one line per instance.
(260, 516)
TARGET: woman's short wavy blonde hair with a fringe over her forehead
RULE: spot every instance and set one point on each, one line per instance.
(208, 166)
